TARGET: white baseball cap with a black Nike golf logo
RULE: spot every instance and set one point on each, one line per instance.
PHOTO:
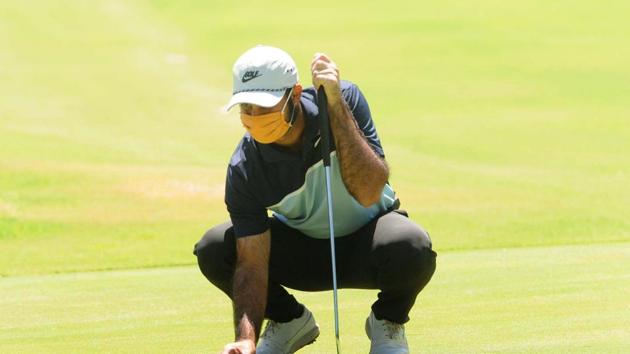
(261, 76)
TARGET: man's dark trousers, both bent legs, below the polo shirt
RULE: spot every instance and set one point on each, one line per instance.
(390, 253)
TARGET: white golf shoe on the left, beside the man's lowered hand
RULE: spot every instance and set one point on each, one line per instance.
(288, 337)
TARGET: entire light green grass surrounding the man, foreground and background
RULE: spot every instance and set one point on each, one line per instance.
(505, 126)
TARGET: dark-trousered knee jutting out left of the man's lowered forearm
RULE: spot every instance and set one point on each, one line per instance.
(216, 252)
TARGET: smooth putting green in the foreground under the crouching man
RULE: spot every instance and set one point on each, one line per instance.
(553, 300)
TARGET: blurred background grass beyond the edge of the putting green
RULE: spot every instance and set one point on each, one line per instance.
(505, 125)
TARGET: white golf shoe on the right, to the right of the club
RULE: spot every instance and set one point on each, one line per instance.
(387, 337)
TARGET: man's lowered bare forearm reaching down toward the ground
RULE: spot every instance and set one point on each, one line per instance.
(250, 298)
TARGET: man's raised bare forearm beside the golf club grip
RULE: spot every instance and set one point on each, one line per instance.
(364, 172)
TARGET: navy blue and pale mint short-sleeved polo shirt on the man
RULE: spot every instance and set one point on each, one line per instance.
(262, 177)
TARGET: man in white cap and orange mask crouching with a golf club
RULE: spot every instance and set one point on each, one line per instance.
(277, 166)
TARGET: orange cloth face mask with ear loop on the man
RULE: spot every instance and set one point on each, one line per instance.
(267, 128)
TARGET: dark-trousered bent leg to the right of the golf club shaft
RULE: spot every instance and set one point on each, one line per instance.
(392, 254)
